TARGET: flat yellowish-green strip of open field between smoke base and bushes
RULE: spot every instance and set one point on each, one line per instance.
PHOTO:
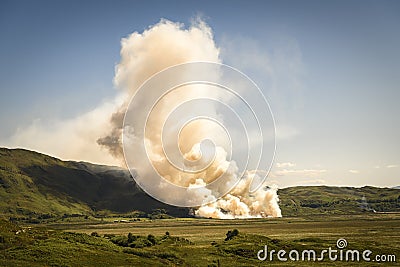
(204, 230)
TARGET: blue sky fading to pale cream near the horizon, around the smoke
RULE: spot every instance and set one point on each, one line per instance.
(333, 88)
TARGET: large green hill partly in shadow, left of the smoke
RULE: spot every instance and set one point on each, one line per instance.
(37, 185)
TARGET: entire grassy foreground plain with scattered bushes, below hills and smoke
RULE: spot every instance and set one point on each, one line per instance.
(196, 242)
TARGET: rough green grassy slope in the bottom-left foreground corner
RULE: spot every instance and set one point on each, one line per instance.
(45, 247)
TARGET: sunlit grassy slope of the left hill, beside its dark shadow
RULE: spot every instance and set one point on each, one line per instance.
(23, 194)
